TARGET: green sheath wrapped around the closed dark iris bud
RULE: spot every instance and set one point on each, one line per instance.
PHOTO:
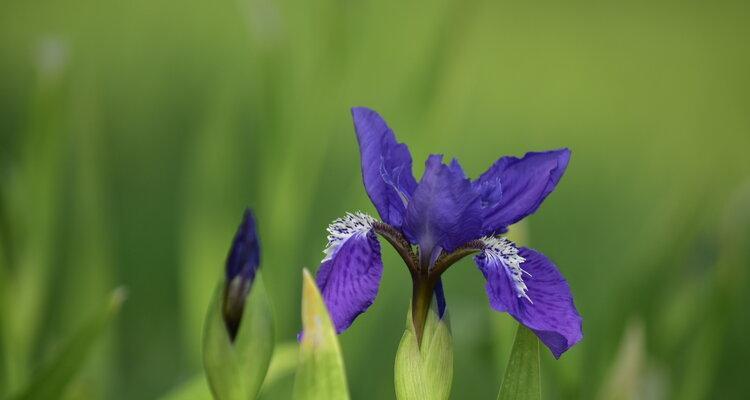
(235, 370)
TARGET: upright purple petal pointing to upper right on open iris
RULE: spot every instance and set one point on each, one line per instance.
(513, 188)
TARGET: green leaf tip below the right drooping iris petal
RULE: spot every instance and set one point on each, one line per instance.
(522, 379)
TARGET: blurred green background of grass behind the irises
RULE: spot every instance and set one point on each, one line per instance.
(133, 134)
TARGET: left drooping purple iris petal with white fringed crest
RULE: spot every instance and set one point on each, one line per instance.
(349, 277)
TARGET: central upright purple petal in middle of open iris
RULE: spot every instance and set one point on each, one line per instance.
(445, 210)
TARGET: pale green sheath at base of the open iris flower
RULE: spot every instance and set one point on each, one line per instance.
(426, 372)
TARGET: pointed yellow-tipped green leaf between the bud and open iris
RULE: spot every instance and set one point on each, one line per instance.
(320, 374)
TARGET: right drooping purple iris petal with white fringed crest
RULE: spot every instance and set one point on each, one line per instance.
(540, 299)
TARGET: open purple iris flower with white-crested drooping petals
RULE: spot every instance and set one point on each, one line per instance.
(447, 216)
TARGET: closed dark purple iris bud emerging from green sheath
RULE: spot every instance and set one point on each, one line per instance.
(241, 266)
